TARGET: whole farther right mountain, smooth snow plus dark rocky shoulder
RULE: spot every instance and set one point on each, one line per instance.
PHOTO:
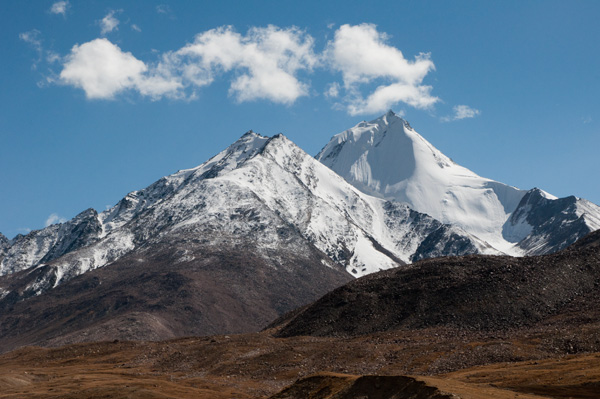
(388, 159)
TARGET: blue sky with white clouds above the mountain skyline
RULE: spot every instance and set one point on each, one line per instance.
(100, 98)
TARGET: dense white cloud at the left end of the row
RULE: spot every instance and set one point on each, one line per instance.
(102, 70)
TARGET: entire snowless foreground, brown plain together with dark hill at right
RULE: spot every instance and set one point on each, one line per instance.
(464, 327)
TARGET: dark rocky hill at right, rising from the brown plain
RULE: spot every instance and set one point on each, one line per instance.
(474, 293)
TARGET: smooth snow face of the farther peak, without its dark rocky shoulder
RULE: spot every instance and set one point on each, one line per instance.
(388, 159)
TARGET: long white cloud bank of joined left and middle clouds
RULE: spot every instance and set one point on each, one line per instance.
(266, 62)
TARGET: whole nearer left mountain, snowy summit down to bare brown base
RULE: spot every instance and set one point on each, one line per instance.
(260, 229)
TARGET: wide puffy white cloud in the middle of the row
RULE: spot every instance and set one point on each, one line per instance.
(266, 60)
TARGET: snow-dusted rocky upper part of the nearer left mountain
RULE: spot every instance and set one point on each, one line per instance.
(262, 188)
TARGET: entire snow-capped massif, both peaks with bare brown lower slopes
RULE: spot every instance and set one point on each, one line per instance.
(263, 228)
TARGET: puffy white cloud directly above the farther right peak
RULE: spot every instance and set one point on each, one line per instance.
(361, 55)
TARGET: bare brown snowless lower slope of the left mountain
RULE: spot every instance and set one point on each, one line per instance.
(149, 296)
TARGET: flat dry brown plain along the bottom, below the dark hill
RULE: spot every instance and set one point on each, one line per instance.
(261, 366)
